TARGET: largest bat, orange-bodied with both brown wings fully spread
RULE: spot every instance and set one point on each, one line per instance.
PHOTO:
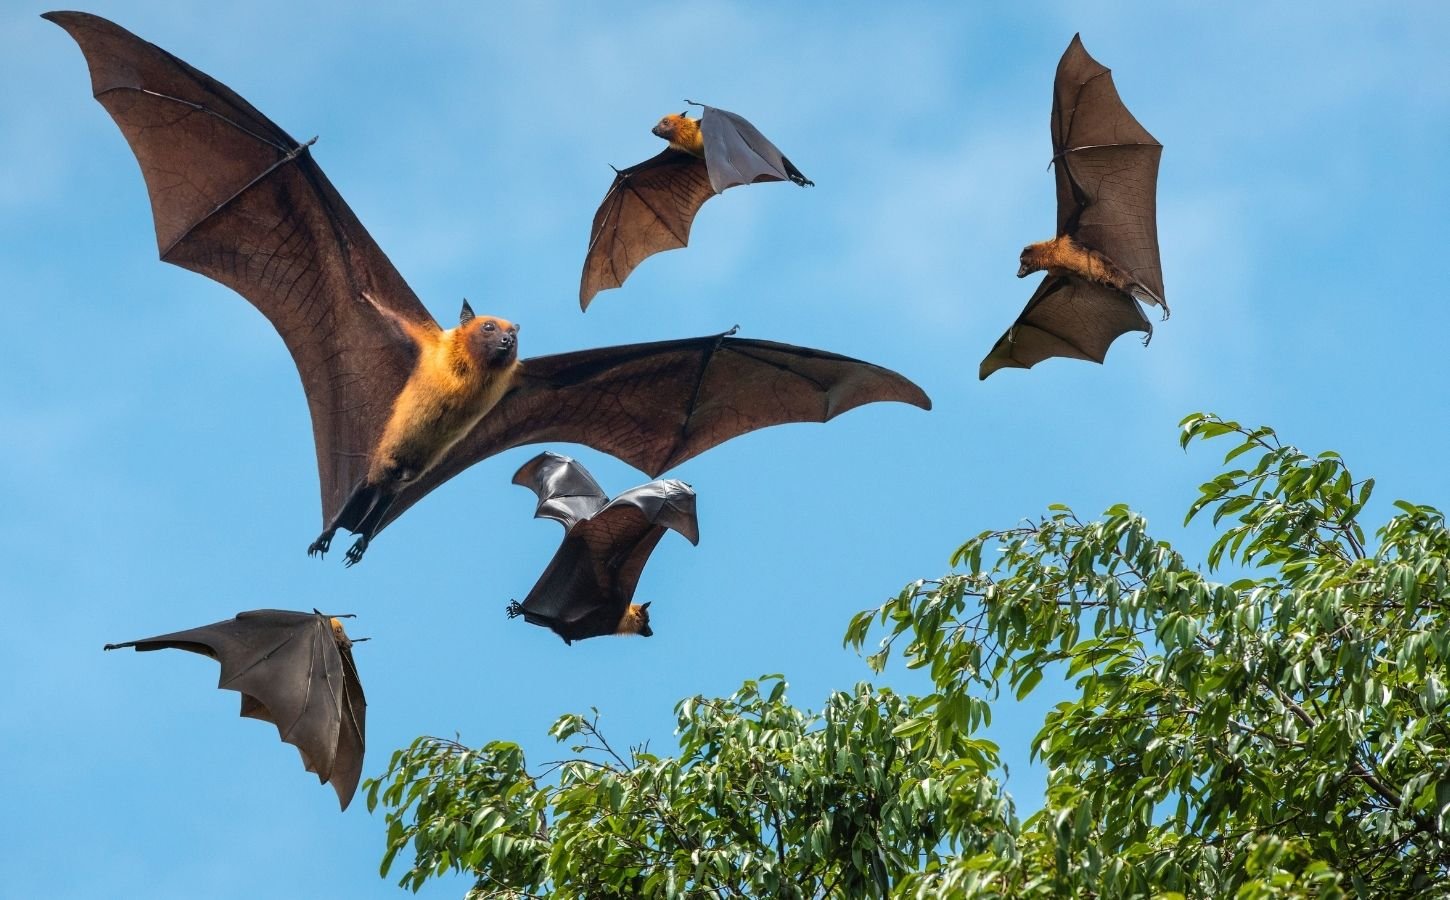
(398, 404)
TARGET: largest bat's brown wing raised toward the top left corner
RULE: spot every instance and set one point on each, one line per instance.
(241, 202)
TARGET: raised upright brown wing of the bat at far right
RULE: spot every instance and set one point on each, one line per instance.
(1107, 170)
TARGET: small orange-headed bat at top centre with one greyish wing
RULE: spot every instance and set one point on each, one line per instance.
(652, 207)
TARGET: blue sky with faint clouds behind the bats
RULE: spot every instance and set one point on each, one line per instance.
(156, 457)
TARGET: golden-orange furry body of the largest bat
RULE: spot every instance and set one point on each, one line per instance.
(450, 391)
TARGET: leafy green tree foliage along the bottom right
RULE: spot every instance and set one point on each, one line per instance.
(1281, 734)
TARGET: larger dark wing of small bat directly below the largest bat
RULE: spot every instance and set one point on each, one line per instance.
(592, 579)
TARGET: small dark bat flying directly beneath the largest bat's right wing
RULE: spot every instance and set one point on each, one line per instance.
(588, 589)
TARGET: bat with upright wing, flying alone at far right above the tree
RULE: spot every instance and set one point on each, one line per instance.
(1106, 256)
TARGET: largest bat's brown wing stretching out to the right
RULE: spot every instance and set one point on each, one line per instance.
(658, 405)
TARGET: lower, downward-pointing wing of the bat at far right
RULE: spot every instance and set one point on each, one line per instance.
(1066, 317)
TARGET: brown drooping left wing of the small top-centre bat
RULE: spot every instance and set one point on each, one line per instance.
(649, 209)
